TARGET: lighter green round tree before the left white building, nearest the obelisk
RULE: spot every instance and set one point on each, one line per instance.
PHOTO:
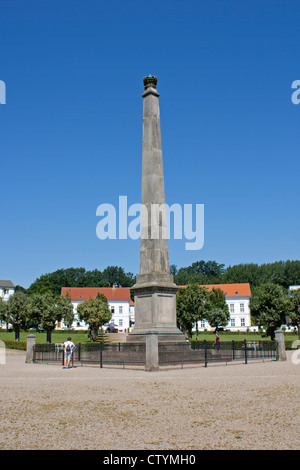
(94, 312)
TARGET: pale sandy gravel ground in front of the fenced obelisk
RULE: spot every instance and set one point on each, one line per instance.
(222, 407)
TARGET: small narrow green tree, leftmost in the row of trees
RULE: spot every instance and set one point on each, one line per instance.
(17, 305)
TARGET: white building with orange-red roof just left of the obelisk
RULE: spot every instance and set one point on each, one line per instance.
(119, 301)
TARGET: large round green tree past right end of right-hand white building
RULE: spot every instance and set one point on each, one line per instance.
(269, 305)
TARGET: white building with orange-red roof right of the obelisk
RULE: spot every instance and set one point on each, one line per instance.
(237, 297)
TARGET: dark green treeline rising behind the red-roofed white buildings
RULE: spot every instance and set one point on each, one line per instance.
(283, 273)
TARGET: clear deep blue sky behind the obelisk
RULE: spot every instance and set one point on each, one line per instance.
(71, 129)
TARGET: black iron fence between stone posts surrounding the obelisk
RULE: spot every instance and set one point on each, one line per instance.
(134, 354)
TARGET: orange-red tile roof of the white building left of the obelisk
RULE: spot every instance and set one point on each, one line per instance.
(85, 293)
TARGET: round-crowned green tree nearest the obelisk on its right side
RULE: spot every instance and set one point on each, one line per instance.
(190, 306)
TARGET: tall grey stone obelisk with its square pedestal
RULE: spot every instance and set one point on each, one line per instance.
(154, 291)
